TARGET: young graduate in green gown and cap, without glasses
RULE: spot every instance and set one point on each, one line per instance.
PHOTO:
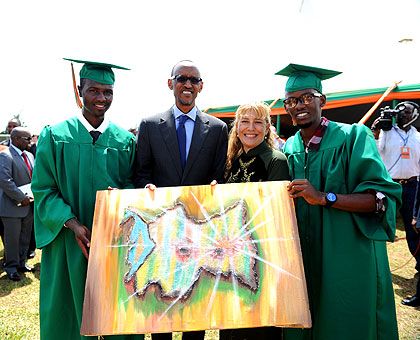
(75, 159)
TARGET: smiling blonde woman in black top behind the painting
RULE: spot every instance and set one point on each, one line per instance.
(252, 157)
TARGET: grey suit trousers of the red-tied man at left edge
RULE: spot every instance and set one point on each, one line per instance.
(17, 235)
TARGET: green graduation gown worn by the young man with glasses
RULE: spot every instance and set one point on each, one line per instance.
(344, 254)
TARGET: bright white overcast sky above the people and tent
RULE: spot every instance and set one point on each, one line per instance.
(237, 45)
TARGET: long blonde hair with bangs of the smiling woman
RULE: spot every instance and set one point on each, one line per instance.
(261, 110)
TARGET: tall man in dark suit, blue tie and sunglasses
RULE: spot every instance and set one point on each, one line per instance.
(181, 146)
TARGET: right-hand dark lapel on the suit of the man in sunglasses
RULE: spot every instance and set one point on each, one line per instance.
(201, 129)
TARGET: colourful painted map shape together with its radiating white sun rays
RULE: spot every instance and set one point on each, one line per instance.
(211, 245)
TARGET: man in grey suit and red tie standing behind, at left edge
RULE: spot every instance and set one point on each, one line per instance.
(16, 165)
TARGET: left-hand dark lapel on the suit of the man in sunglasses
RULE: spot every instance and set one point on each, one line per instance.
(168, 131)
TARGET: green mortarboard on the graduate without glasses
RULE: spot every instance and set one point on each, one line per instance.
(99, 72)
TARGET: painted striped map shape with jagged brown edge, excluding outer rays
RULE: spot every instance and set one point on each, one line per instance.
(184, 247)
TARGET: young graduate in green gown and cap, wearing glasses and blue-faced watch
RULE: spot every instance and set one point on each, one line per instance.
(345, 207)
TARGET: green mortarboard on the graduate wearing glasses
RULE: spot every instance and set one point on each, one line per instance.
(305, 77)
